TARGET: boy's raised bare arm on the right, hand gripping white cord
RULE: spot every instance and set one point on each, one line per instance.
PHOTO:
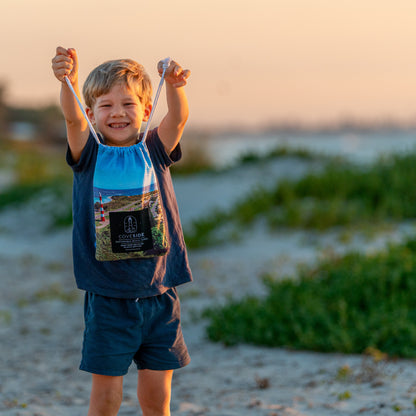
(171, 127)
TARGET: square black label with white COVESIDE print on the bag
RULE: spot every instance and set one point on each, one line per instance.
(130, 231)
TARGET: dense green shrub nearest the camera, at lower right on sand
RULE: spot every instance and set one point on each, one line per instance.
(346, 305)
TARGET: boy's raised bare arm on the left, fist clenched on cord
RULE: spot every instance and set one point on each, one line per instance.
(65, 63)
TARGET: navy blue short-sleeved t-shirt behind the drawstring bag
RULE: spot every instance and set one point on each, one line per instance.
(136, 278)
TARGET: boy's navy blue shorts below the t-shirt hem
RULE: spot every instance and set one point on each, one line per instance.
(119, 331)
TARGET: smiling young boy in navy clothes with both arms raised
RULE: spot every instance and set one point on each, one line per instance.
(132, 311)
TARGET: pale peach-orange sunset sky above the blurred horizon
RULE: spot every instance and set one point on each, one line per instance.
(252, 62)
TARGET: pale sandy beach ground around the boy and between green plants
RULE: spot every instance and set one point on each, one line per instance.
(41, 321)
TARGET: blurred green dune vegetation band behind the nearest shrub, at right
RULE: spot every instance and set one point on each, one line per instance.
(339, 195)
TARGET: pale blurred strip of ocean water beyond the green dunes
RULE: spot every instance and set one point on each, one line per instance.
(358, 147)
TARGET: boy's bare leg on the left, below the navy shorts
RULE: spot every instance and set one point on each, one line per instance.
(106, 395)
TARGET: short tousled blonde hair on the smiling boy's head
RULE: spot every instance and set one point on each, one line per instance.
(124, 71)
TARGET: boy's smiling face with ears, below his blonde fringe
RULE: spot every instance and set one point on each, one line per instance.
(118, 116)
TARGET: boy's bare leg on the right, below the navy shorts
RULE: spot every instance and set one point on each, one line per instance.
(154, 391)
